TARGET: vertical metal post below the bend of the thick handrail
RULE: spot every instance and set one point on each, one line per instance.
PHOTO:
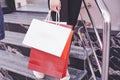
(106, 50)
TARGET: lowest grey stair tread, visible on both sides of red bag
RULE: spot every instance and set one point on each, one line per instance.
(18, 64)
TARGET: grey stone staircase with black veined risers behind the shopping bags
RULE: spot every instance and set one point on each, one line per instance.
(15, 60)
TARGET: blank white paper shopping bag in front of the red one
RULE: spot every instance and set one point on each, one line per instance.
(50, 38)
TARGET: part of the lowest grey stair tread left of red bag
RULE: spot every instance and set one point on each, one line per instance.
(15, 63)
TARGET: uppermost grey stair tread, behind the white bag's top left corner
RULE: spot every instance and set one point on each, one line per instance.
(23, 17)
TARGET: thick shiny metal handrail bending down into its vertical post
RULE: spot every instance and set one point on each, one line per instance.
(106, 37)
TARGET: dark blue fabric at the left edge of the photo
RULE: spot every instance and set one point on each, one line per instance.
(2, 33)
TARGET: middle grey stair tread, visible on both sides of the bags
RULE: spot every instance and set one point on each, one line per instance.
(16, 38)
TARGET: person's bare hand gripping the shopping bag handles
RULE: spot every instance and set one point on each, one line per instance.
(55, 5)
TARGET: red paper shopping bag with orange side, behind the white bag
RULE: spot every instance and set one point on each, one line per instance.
(50, 64)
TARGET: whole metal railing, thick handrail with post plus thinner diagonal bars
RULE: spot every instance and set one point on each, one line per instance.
(105, 45)
